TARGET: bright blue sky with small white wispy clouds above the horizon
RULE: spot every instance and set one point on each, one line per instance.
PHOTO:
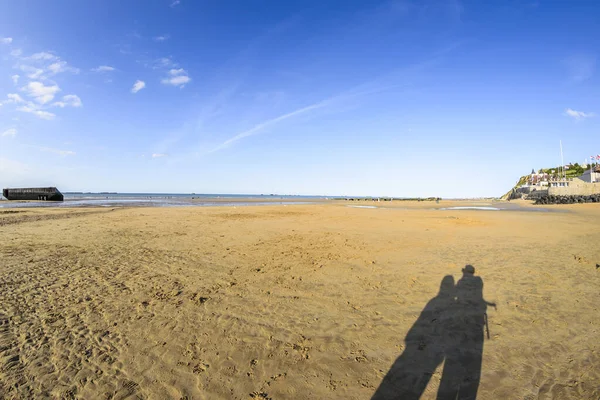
(422, 98)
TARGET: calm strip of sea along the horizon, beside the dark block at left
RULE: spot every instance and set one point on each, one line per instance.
(163, 200)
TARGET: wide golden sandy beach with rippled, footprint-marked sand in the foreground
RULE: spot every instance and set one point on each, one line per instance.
(317, 301)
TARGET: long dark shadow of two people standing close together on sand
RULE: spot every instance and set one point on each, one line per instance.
(450, 329)
